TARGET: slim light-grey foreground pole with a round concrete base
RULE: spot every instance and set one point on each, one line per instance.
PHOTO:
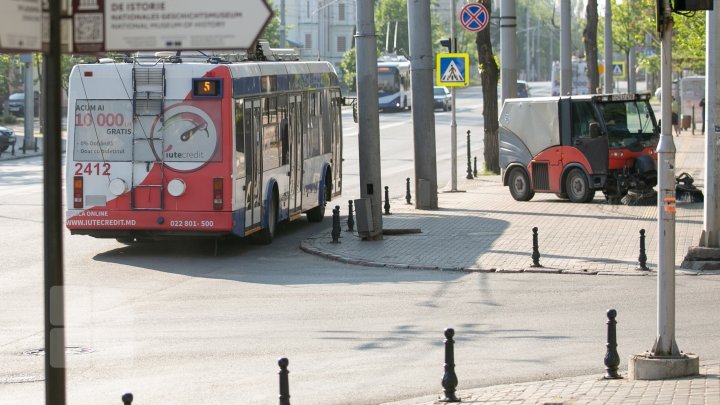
(665, 360)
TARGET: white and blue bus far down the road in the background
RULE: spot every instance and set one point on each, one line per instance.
(394, 91)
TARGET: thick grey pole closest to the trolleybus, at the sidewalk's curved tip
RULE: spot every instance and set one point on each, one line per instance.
(368, 119)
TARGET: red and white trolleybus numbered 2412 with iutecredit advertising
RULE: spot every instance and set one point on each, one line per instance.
(199, 145)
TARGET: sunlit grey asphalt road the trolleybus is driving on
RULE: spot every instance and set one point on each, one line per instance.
(174, 324)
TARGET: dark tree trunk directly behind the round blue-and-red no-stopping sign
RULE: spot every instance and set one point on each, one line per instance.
(489, 78)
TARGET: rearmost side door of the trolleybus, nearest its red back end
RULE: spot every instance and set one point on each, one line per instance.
(253, 160)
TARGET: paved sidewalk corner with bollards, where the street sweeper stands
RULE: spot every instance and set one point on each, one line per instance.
(485, 229)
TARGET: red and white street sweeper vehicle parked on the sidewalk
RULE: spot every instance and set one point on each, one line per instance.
(573, 146)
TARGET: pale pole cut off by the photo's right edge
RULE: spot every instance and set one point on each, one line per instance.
(711, 223)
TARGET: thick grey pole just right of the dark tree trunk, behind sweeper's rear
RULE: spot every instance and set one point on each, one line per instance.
(508, 54)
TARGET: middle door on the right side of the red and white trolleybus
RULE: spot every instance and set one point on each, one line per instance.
(294, 139)
